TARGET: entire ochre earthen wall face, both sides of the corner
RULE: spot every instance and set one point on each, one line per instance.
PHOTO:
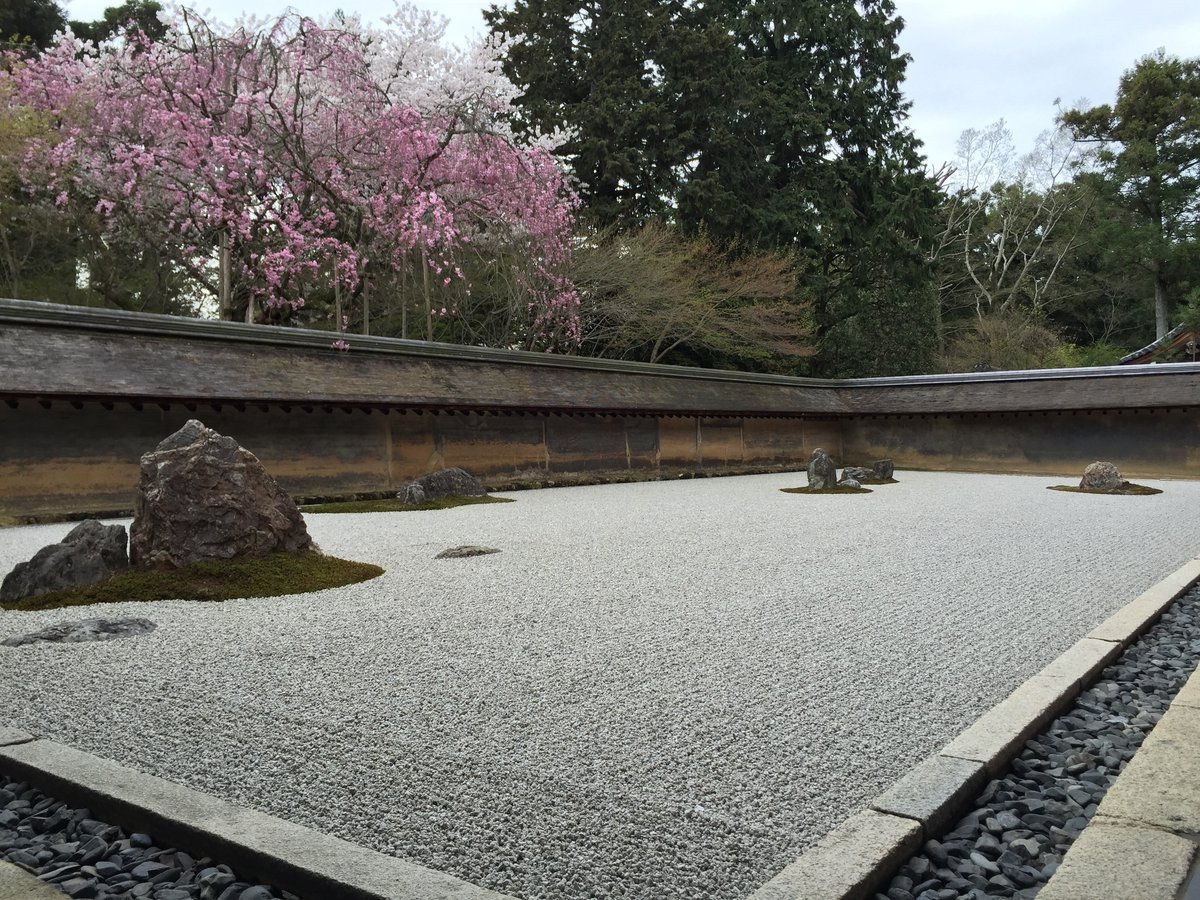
(61, 459)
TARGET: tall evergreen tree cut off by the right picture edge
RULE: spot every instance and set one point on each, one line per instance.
(1150, 163)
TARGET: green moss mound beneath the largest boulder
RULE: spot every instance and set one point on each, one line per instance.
(267, 577)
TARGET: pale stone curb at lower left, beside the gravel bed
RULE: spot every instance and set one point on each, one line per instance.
(263, 848)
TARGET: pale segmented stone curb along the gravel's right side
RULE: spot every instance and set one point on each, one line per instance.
(859, 857)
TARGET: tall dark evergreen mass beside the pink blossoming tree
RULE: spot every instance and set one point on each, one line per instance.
(775, 125)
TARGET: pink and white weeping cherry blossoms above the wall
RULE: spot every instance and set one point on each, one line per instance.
(310, 153)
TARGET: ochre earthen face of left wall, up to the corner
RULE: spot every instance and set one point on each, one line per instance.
(61, 459)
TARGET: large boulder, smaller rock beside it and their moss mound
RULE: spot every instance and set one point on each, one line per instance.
(209, 524)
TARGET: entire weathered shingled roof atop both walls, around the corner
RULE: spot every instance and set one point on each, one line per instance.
(62, 353)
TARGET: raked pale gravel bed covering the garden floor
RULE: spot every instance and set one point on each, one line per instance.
(657, 691)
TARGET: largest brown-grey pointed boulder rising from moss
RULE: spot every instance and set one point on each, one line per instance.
(203, 497)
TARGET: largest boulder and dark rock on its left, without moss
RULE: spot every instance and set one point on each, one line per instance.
(201, 497)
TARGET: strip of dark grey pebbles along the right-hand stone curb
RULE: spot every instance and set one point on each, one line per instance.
(1023, 825)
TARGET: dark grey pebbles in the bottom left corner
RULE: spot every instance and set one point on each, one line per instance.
(87, 859)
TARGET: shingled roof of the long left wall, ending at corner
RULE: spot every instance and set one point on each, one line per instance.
(145, 359)
